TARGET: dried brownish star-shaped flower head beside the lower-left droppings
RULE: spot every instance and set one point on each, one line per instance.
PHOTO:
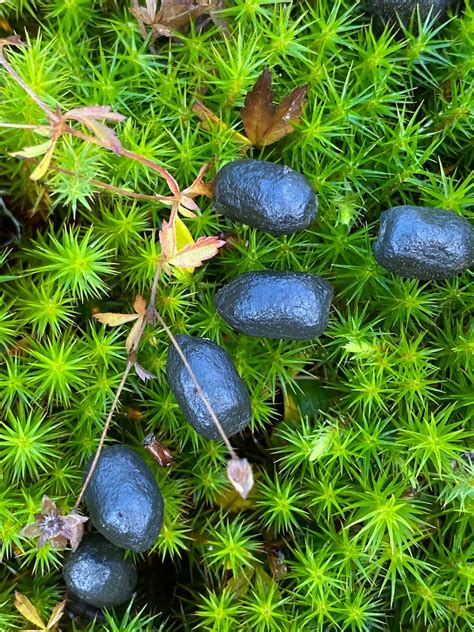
(51, 526)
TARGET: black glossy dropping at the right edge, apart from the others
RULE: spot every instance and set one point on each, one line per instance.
(424, 243)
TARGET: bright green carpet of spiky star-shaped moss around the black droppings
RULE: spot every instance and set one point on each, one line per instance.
(368, 497)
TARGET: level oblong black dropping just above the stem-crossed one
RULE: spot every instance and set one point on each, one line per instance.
(285, 305)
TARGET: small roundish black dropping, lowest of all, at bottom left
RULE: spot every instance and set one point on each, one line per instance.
(98, 574)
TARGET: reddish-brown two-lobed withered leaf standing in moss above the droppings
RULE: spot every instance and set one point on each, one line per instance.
(265, 123)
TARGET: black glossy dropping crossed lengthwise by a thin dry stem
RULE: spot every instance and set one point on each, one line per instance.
(218, 378)
